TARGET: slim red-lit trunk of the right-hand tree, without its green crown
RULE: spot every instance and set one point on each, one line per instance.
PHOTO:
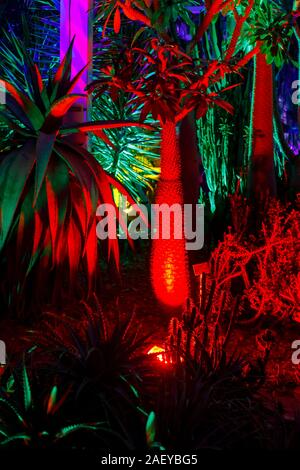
(262, 172)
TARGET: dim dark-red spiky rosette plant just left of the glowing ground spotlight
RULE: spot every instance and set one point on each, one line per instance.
(101, 356)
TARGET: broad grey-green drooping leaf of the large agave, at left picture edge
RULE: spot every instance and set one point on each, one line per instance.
(15, 169)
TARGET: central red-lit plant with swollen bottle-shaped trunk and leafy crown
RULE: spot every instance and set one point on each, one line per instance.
(169, 87)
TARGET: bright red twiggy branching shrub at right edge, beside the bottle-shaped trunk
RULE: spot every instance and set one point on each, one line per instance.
(266, 265)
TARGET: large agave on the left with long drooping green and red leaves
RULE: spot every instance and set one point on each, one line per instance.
(50, 184)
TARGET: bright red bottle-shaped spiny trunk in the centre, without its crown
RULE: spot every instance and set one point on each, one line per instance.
(169, 263)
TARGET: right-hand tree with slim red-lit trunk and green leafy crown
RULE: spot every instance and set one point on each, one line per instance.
(269, 29)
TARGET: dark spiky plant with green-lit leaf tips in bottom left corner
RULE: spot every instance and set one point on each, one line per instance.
(35, 418)
